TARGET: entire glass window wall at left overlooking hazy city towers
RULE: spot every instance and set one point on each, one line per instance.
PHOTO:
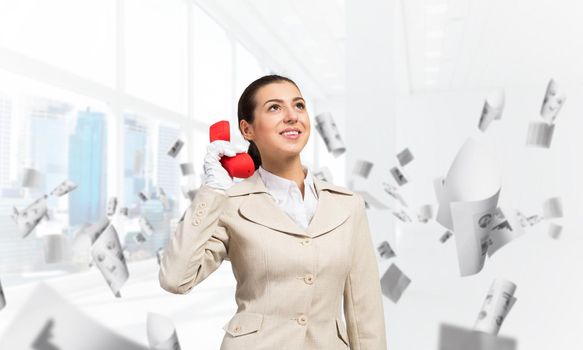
(97, 95)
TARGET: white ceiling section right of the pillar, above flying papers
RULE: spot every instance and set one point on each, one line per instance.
(467, 44)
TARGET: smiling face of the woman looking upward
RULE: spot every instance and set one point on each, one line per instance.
(279, 106)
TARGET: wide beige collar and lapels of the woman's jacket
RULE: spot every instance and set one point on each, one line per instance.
(259, 207)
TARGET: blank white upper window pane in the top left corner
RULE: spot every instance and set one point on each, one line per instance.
(76, 36)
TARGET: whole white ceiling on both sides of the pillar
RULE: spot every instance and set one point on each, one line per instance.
(441, 44)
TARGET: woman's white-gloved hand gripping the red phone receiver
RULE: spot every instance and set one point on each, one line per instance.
(215, 175)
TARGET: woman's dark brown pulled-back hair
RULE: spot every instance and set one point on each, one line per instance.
(247, 105)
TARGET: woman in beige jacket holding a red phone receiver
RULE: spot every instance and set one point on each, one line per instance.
(297, 245)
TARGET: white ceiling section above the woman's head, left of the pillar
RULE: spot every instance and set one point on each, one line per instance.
(301, 38)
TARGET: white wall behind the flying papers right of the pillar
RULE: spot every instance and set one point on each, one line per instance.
(548, 273)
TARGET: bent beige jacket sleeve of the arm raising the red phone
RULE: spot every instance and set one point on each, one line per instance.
(199, 244)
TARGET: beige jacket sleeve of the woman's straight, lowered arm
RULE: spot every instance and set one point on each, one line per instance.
(363, 304)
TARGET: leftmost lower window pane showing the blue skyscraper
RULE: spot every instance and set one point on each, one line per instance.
(61, 135)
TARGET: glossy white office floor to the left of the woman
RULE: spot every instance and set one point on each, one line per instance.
(198, 316)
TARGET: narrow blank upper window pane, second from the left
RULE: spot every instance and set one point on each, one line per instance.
(156, 51)
